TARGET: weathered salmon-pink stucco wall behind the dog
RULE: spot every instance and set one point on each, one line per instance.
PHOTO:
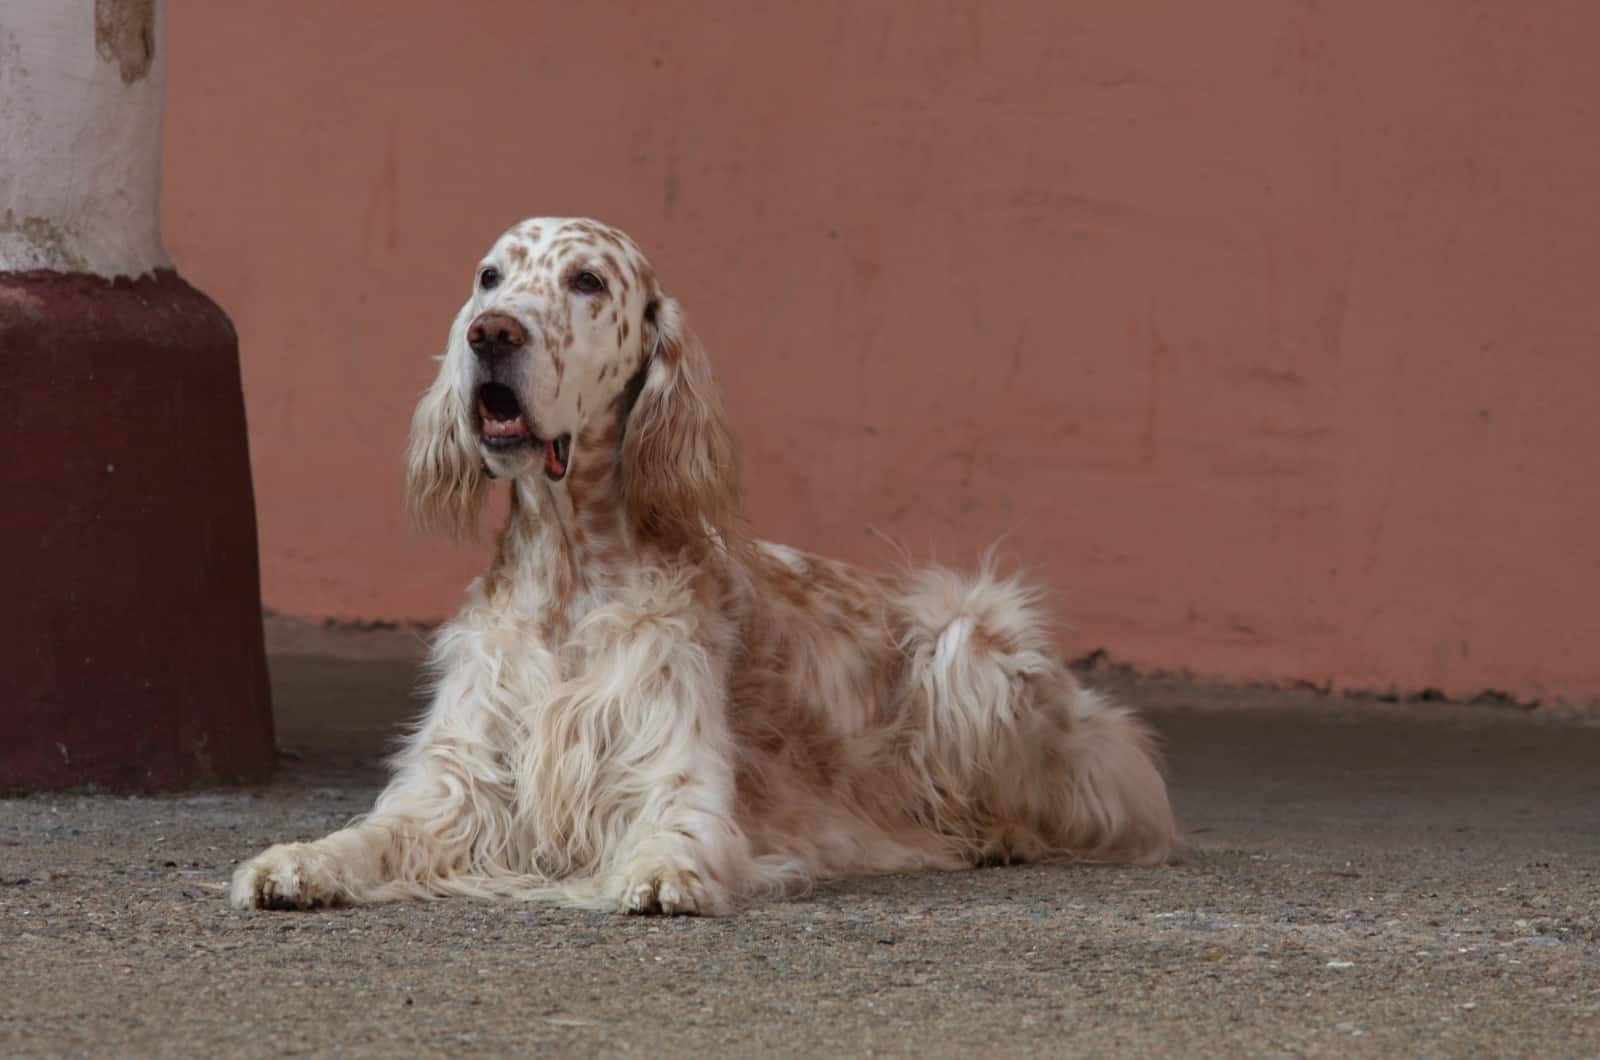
(1268, 332)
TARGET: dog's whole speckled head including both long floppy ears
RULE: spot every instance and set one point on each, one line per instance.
(569, 334)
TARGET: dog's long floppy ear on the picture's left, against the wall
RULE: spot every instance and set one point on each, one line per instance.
(444, 476)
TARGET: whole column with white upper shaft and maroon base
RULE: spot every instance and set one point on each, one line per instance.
(130, 603)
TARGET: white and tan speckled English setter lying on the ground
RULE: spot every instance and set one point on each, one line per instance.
(642, 709)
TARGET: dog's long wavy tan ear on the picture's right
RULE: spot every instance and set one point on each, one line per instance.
(681, 476)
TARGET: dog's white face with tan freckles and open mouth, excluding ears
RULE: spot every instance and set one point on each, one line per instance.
(550, 339)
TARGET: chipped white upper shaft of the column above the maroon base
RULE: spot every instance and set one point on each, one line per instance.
(81, 137)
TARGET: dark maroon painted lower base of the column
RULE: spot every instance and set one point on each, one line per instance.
(130, 600)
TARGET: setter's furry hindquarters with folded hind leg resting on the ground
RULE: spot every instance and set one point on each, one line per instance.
(1026, 761)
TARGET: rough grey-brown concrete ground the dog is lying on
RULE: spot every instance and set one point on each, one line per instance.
(1370, 880)
